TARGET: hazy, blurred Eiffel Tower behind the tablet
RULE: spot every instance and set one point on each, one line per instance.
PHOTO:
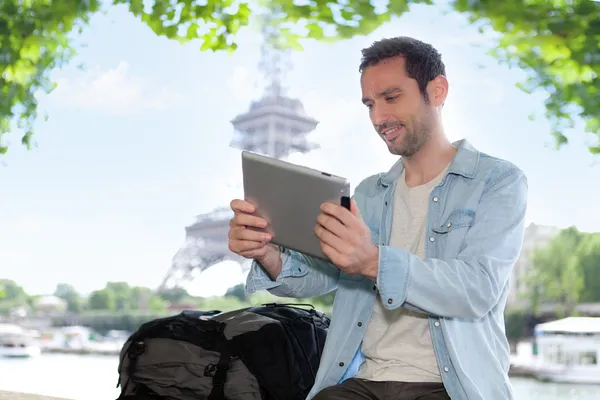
(275, 125)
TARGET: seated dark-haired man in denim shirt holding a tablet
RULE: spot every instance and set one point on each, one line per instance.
(422, 260)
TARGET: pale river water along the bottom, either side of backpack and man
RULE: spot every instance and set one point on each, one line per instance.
(95, 378)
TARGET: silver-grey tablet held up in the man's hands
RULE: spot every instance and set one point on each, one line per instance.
(289, 197)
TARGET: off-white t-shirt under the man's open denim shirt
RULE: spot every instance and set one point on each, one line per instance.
(397, 343)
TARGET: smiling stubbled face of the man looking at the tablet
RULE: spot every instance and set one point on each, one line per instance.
(396, 107)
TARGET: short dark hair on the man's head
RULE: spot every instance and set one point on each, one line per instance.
(423, 62)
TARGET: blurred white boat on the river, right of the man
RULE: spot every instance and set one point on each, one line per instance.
(568, 350)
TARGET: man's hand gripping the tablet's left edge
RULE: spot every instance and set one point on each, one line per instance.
(249, 243)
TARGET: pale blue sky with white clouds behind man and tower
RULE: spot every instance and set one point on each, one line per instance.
(137, 145)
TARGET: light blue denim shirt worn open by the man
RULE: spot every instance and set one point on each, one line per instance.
(475, 230)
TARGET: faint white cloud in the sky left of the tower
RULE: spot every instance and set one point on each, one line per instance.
(115, 91)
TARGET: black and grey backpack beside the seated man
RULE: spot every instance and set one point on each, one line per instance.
(269, 352)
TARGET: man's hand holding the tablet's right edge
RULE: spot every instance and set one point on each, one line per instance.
(346, 240)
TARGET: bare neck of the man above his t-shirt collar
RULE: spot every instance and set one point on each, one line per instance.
(429, 161)
